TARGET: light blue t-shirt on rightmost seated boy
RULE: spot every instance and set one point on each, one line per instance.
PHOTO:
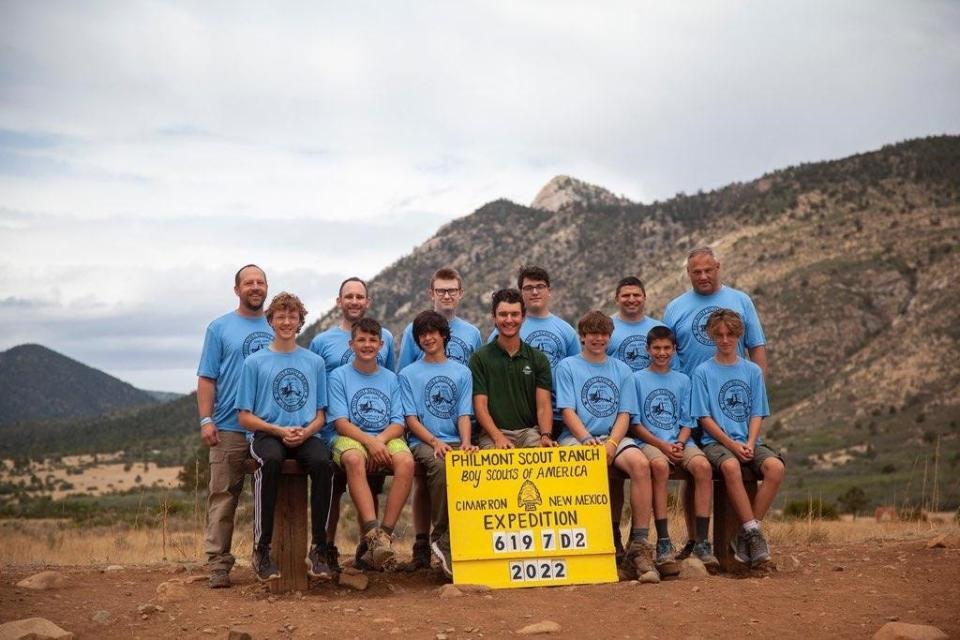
(731, 394)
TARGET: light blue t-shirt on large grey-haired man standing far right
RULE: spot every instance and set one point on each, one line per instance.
(687, 315)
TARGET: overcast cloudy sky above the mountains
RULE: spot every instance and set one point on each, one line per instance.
(147, 149)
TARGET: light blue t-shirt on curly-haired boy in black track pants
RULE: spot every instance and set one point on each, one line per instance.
(283, 388)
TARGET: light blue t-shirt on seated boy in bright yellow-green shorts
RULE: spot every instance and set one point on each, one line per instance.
(371, 401)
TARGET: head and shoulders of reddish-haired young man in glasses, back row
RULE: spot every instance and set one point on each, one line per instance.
(446, 291)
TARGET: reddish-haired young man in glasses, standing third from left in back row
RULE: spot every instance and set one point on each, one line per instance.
(446, 291)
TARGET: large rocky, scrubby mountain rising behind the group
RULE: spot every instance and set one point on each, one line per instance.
(850, 262)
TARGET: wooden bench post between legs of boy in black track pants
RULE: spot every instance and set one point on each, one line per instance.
(290, 528)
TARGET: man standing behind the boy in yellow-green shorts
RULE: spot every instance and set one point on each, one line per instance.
(333, 345)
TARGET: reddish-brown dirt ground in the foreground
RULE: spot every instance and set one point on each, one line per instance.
(846, 591)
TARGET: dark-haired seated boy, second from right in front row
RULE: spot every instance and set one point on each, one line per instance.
(664, 425)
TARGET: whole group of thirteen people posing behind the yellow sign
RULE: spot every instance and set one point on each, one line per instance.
(687, 391)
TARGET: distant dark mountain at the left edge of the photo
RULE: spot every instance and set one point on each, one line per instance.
(41, 384)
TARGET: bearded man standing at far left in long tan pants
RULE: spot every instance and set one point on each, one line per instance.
(228, 341)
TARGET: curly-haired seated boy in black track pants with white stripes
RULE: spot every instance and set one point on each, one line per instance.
(281, 400)
